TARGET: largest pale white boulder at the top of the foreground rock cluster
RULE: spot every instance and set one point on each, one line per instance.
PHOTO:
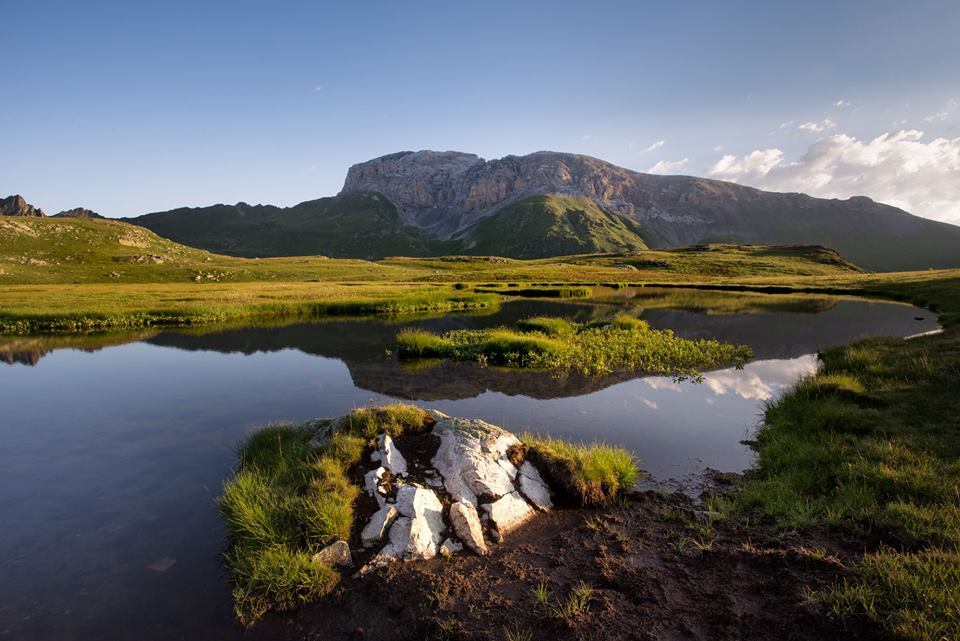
(472, 458)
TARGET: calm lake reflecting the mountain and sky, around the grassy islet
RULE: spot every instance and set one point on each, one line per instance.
(115, 446)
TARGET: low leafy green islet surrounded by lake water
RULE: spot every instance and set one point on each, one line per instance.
(589, 348)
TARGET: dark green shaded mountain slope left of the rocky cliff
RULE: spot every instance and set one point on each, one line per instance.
(355, 225)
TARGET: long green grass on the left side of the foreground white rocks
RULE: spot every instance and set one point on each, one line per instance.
(289, 499)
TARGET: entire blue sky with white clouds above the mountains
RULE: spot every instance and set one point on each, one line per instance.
(128, 107)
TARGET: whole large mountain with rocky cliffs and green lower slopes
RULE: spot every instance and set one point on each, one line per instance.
(546, 204)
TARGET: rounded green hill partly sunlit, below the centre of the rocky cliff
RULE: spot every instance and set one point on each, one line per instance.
(552, 225)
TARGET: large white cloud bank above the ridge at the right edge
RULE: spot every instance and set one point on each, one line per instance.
(896, 168)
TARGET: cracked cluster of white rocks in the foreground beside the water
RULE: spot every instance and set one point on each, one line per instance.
(431, 505)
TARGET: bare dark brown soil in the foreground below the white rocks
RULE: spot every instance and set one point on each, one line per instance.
(657, 572)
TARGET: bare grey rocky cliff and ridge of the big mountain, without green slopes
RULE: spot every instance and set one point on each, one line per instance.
(448, 193)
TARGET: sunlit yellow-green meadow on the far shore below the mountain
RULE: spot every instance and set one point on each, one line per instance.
(69, 275)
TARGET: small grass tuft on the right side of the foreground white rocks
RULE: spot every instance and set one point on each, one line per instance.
(587, 474)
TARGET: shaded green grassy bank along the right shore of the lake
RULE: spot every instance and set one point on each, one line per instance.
(869, 448)
